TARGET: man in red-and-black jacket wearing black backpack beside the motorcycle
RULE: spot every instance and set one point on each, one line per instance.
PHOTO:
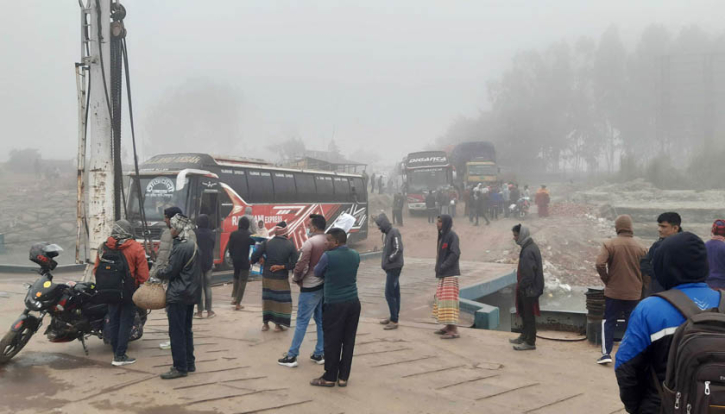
(120, 268)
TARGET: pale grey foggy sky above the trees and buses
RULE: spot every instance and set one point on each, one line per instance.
(376, 73)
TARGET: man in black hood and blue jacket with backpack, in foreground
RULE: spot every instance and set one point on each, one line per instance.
(644, 360)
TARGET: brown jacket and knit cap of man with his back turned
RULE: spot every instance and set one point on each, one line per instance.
(618, 263)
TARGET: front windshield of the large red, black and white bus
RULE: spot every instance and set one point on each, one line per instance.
(159, 194)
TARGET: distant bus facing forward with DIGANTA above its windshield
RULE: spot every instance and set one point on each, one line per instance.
(425, 171)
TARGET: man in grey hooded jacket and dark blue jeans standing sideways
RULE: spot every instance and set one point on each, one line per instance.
(392, 264)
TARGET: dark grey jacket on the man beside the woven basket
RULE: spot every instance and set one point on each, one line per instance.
(183, 273)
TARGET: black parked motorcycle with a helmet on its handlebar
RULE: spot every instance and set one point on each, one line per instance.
(75, 310)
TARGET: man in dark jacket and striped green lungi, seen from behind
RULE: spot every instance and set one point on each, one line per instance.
(280, 256)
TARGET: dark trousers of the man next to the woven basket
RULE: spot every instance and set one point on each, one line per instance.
(182, 337)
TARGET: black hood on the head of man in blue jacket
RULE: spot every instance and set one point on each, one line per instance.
(681, 259)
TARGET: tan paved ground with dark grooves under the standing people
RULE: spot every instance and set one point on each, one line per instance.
(405, 371)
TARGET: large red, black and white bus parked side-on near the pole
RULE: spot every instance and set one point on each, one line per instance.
(223, 187)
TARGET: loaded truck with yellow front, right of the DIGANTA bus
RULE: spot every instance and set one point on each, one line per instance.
(474, 162)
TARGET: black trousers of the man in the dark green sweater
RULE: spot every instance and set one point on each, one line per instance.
(339, 323)
